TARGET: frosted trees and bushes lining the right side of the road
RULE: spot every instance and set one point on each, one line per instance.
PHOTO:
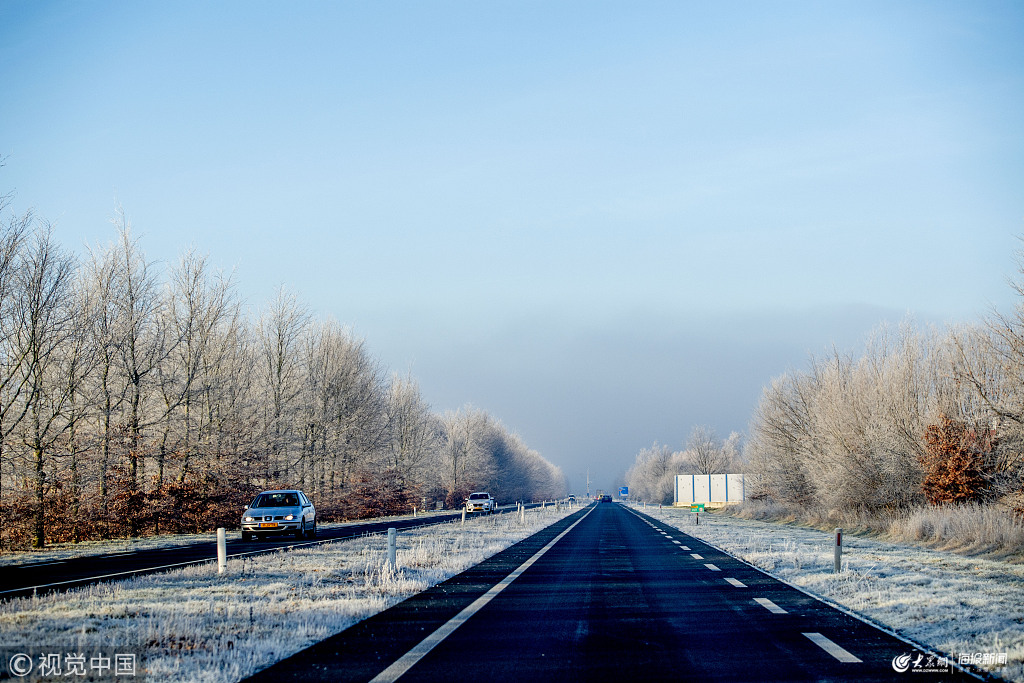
(922, 416)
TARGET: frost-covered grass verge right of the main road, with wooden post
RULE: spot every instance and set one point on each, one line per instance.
(948, 602)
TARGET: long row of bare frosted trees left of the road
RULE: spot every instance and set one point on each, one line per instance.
(135, 401)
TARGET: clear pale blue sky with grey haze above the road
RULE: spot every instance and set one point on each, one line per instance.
(603, 222)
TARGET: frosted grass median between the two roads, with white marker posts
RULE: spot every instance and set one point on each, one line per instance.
(195, 625)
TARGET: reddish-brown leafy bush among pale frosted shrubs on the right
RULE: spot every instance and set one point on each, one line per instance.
(954, 463)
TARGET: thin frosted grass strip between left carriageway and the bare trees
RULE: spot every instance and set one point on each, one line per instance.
(63, 551)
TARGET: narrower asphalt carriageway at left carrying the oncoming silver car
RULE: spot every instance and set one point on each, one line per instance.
(22, 580)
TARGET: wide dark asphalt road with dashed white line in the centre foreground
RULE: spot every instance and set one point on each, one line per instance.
(609, 594)
